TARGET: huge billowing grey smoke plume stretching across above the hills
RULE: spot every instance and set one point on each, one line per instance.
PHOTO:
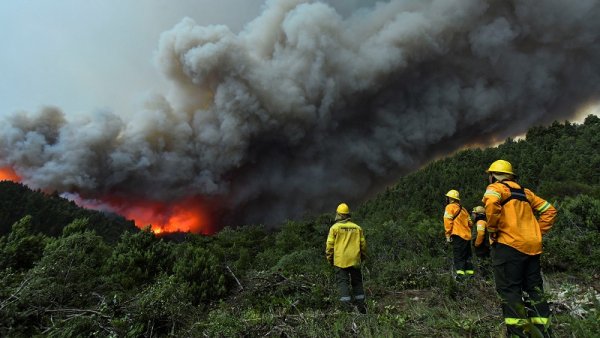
(307, 107)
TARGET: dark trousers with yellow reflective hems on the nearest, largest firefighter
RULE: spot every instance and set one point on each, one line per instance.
(515, 273)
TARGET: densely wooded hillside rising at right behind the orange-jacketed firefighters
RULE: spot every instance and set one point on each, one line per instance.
(560, 161)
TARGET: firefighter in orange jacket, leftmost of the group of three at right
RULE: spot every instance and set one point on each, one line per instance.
(457, 224)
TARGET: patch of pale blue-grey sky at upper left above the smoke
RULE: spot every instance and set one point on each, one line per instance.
(83, 56)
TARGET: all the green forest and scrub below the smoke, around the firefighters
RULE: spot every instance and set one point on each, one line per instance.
(71, 272)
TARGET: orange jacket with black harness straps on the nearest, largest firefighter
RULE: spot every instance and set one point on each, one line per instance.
(515, 222)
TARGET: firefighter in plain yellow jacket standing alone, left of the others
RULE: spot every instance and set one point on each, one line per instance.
(345, 249)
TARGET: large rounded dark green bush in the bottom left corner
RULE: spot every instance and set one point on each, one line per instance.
(61, 286)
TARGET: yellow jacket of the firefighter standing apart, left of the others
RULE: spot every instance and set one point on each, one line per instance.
(346, 244)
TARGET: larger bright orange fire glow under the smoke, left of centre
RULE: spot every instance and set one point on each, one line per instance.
(186, 215)
